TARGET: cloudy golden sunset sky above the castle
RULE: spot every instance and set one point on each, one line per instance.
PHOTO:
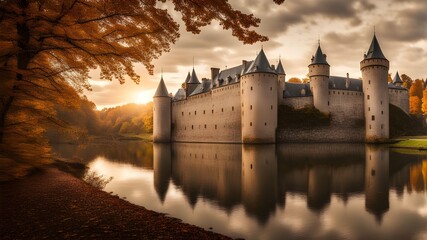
(344, 28)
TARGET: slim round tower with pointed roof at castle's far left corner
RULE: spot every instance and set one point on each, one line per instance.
(161, 114)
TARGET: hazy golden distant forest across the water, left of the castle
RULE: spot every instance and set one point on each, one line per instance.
(80, 124)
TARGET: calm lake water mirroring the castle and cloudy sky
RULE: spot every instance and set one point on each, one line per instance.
(284, 191)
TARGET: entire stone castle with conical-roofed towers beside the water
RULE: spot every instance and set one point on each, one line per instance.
(240, 104)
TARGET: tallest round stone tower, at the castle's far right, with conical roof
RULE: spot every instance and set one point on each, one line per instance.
(374, 69)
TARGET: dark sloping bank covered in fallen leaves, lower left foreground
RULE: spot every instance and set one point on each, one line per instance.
(52, 204)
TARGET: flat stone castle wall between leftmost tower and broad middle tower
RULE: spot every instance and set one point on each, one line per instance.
(208, 117)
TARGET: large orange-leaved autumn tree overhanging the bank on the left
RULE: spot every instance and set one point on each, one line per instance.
(48, 46)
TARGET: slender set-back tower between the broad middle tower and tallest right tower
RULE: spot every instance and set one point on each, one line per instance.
(318, 72)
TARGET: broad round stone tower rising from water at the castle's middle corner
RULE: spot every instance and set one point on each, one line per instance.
(259, 102)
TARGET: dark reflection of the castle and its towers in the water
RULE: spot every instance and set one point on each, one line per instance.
(261, 176)
